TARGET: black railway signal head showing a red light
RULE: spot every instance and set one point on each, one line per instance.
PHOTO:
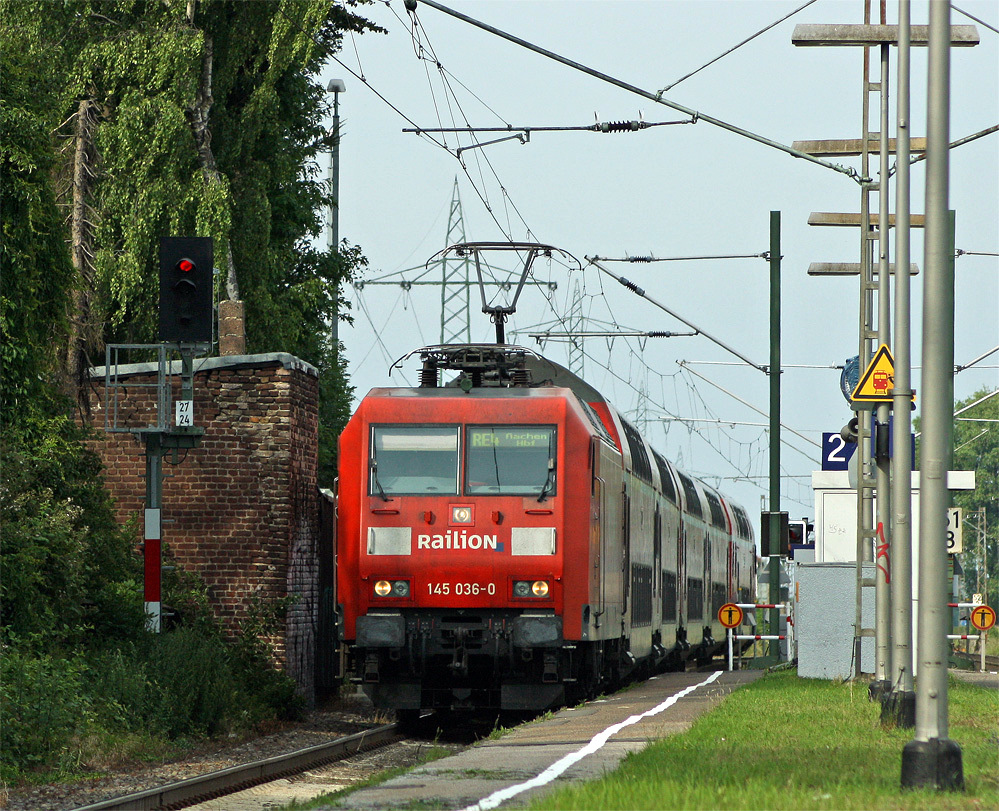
(186, 289)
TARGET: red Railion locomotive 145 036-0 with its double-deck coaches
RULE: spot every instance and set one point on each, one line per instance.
(508, 541)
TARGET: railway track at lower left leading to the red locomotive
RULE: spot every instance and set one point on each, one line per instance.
(195, 790)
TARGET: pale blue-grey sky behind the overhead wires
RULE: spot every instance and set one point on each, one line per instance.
(677, 190)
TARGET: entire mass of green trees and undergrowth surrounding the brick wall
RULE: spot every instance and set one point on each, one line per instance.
(71, 580)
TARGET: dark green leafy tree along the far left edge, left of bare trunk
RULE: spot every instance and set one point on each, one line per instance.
(67, 566)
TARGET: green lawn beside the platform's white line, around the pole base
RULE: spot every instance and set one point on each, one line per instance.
(789, 743)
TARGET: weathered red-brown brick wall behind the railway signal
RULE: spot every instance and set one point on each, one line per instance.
(241, 510)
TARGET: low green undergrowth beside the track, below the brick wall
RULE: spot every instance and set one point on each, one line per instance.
(185, 684)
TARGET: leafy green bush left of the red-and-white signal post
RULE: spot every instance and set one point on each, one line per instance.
(69, 571)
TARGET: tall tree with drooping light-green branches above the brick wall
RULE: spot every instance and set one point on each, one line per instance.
(192, 118)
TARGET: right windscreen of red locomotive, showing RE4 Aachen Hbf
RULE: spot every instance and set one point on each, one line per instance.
(510, 459)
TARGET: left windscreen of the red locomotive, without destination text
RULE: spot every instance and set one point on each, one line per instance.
(413, 459)
